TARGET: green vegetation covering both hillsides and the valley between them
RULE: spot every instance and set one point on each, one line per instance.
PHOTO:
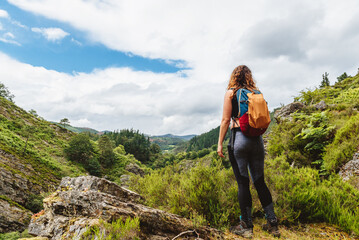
(304, 155)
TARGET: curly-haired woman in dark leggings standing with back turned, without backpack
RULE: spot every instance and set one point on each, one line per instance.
(246, 153)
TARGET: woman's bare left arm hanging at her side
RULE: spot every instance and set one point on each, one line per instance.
(226, 119)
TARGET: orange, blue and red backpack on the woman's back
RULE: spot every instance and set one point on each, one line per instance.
(253, 112)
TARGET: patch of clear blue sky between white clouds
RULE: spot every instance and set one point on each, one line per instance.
(70, 53)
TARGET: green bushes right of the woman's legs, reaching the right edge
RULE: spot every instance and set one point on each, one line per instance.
(300, 194)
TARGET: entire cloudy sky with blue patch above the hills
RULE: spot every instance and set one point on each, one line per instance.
(163, 66)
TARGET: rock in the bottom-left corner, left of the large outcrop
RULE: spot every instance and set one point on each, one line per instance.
(12, 217)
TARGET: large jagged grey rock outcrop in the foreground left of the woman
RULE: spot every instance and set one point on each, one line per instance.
(81, 202)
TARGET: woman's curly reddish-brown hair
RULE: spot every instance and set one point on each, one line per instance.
(241, 77)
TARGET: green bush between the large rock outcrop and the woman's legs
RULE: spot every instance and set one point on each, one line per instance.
(203, 192)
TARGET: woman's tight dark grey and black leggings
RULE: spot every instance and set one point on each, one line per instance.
(248, 153)
